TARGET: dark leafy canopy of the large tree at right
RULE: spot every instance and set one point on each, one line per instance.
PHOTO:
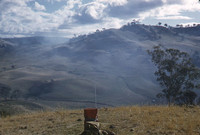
(175, 72)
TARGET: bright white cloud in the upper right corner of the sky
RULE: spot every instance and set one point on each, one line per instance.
(172, 10)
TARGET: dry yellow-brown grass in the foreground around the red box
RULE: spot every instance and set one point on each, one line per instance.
(143, 121)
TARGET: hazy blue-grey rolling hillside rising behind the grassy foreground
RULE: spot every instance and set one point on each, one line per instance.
(113, 61)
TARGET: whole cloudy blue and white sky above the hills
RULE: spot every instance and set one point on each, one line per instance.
(68, 18)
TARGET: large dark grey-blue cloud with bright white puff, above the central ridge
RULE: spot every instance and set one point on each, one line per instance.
(98, 10)
